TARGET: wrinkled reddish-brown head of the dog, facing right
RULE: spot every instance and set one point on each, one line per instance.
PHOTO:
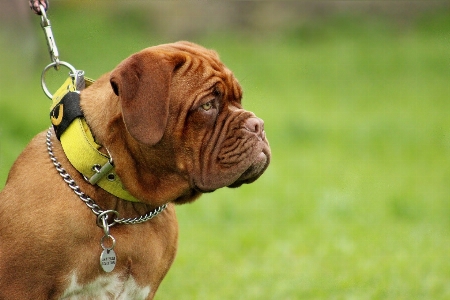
(182, 110)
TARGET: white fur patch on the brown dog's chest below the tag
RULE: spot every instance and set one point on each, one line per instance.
(106, 287)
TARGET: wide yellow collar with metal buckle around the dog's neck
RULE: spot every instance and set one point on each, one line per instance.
(83, 153)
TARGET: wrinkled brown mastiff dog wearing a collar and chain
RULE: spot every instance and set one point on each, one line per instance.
(169, 120)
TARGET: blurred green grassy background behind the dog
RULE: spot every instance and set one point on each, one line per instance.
(355, 98)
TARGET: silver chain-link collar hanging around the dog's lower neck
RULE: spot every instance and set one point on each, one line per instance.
(88, 201)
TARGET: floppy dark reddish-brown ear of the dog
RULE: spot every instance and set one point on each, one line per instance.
(142, 83)
